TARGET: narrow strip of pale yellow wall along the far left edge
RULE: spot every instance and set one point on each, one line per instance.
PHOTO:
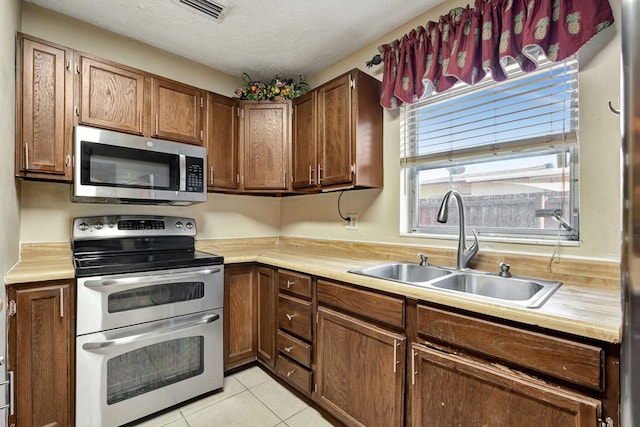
(9, 188)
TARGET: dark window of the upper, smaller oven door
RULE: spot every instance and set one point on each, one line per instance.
(149, 296)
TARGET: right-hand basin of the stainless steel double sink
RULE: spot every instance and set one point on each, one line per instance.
(518, 291)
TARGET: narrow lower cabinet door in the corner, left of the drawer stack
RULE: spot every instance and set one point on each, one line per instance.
(267, 292)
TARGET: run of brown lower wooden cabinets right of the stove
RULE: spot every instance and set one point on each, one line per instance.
(347, 348)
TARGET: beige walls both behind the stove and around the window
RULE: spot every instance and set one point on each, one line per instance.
(316, 216)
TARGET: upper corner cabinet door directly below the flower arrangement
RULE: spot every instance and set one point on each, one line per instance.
(265, 146)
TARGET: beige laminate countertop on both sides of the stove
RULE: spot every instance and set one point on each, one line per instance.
(590, 311)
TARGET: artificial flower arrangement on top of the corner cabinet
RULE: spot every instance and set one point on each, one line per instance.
(277, 89)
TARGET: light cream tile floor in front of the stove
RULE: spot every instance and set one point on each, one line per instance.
(250, 398)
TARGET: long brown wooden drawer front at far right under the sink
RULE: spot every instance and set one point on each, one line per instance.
(573, 361)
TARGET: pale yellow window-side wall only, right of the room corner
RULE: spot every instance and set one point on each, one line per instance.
(317, 216)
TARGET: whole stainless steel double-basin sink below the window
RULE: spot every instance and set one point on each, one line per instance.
(478, 285)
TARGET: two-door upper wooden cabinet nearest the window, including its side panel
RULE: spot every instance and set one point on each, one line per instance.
(338, 135)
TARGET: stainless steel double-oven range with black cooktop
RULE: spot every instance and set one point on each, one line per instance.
(149, 317)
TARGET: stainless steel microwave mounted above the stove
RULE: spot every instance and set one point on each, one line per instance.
(114, 167)
